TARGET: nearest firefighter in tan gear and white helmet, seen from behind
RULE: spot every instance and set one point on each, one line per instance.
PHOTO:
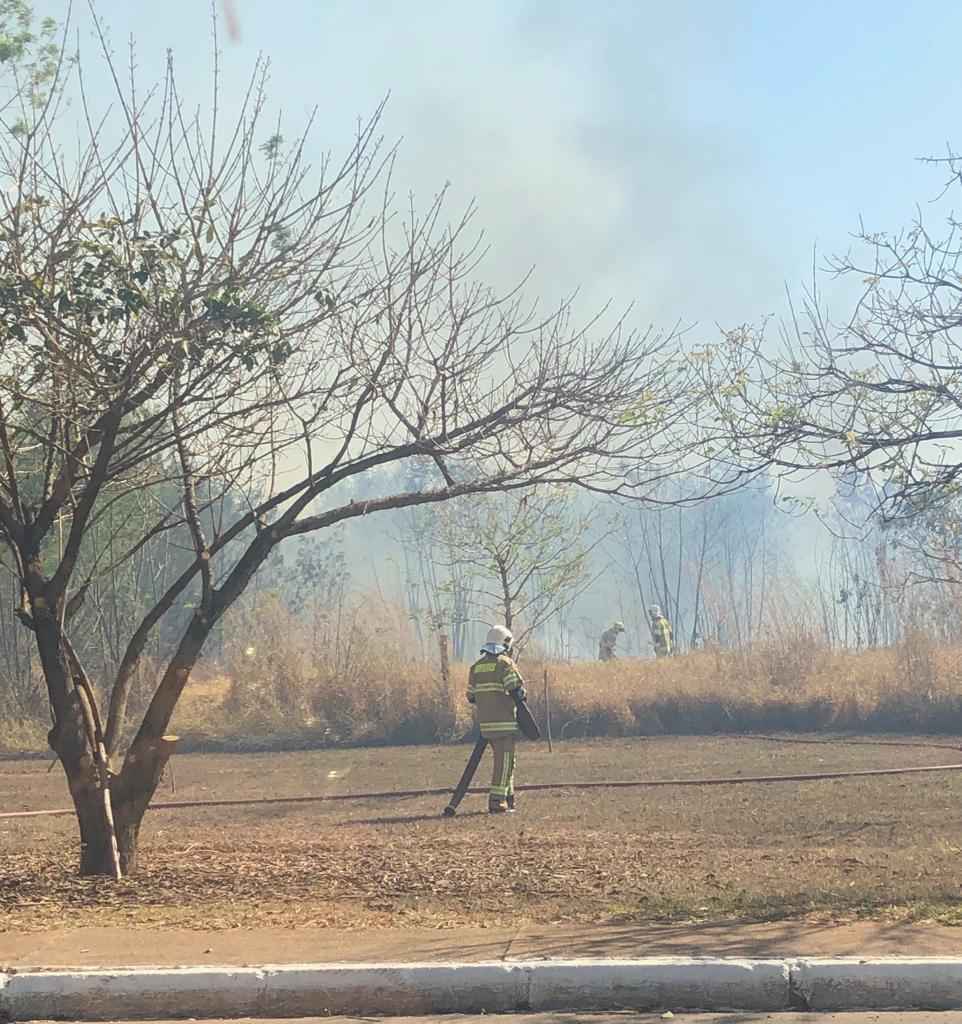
(494, 688)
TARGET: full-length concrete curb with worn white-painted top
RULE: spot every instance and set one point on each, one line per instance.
(396, 990)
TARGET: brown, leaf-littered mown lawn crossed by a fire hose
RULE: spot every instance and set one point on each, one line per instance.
(887, 847)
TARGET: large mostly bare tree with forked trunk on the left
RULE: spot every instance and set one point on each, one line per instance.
(188, 303)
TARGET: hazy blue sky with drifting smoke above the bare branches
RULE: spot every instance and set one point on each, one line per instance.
(686, 160)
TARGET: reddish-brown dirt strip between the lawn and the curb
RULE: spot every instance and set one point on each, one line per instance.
(133, 947)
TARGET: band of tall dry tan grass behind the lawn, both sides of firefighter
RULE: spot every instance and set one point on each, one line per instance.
(290, 687)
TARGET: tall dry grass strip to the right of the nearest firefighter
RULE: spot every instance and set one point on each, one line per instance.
(779, 688)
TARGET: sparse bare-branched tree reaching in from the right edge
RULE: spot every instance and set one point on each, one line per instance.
(879, 395)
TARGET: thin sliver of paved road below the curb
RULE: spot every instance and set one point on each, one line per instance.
(873, 1017)
